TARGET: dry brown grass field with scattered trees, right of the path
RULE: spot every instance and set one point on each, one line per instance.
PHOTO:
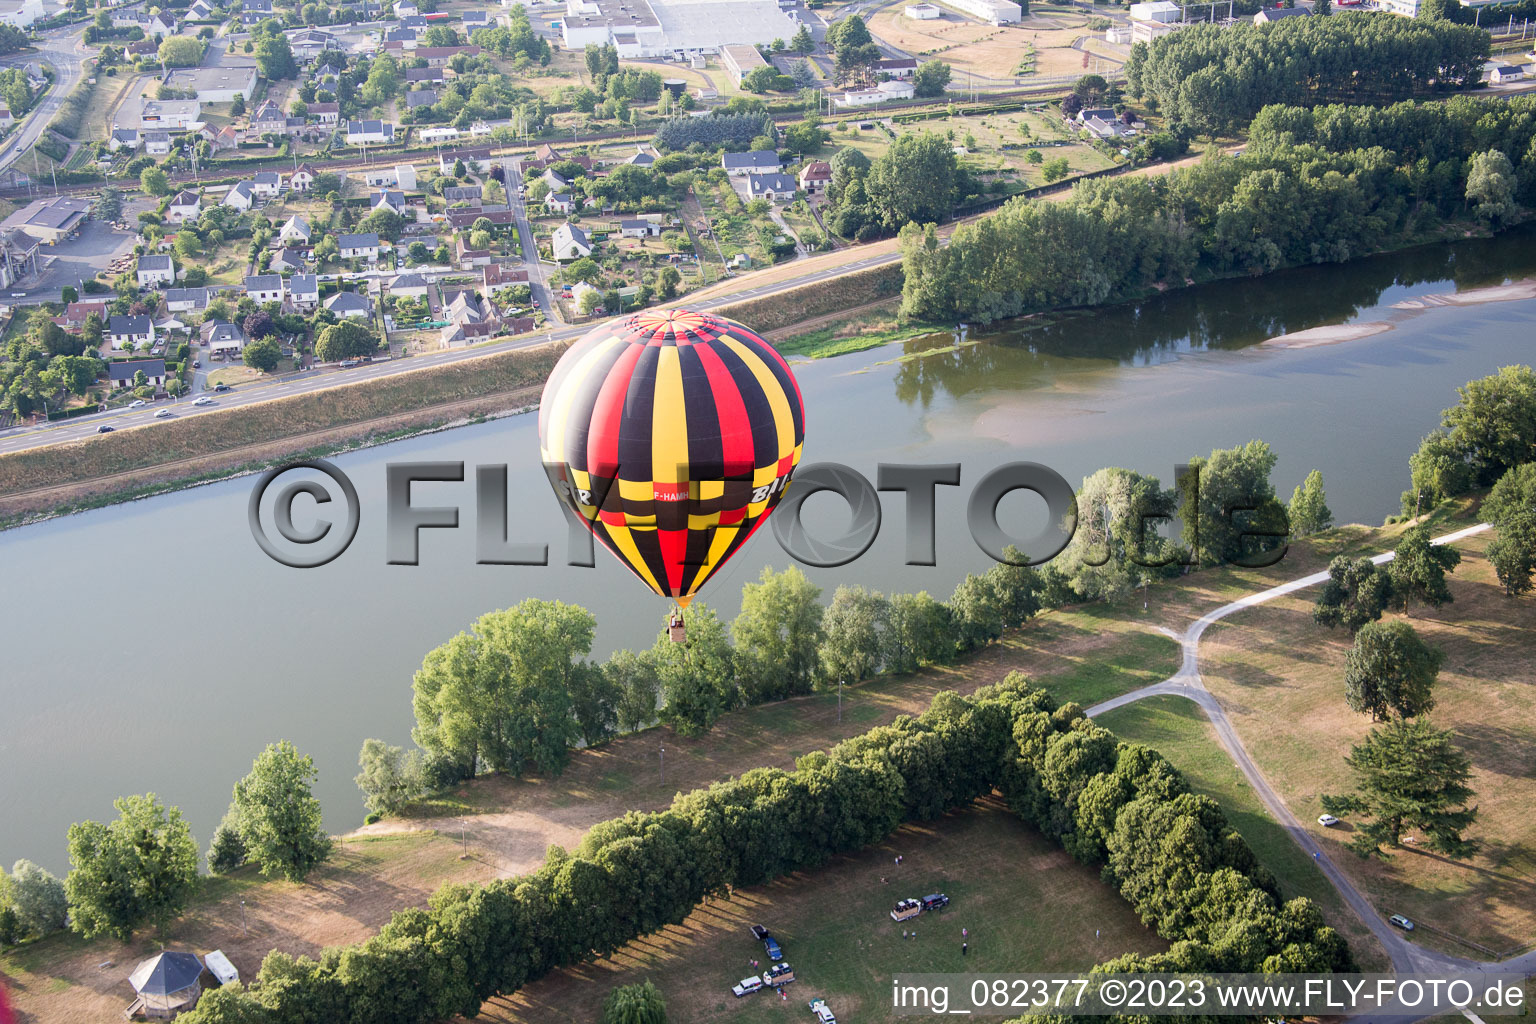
(1282, 679)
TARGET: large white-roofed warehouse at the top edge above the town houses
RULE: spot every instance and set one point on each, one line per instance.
(655, 28)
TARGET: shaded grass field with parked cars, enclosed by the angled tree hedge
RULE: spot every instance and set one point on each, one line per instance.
(1025, 903)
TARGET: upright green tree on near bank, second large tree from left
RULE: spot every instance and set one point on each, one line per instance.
(280, 819)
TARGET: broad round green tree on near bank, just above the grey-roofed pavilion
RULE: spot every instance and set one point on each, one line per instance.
(139, 870)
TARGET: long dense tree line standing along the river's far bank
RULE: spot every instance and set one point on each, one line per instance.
(1316, 187)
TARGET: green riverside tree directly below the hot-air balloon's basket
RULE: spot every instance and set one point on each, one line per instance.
(698, 678)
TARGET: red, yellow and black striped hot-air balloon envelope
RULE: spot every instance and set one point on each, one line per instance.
(672, 435)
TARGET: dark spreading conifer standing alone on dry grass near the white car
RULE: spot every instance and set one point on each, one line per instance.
(1409, 776)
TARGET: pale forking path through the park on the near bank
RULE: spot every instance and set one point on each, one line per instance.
(1187, 682)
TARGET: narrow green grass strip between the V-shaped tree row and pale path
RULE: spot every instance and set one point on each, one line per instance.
(1177, 728)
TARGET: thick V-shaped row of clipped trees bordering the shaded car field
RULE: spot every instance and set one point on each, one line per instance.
(1170, 853)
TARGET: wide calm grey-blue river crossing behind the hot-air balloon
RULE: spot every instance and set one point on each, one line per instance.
(153, 647)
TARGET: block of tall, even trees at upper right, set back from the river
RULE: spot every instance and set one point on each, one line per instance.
(1216, 79)
